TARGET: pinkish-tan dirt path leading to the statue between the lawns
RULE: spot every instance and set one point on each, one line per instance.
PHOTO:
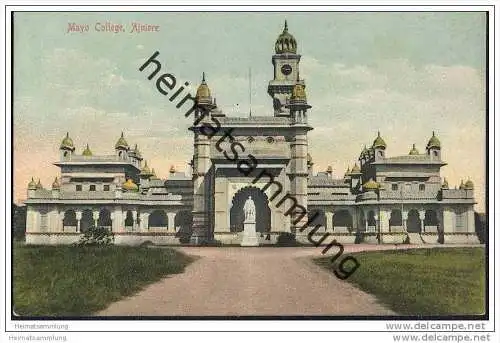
(251, 281)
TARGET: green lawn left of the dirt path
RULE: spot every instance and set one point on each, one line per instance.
(75, 281)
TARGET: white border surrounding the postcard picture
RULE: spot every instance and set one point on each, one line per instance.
(356, 326)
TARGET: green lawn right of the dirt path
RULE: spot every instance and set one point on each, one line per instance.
(440, 281)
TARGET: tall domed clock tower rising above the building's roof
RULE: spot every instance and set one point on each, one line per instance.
(286, 72)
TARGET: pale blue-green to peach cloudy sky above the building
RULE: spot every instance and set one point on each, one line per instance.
(404, 74)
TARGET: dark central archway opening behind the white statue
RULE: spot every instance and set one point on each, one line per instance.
(262, 210)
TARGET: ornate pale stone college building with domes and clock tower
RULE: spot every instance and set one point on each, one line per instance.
(381, 199)
